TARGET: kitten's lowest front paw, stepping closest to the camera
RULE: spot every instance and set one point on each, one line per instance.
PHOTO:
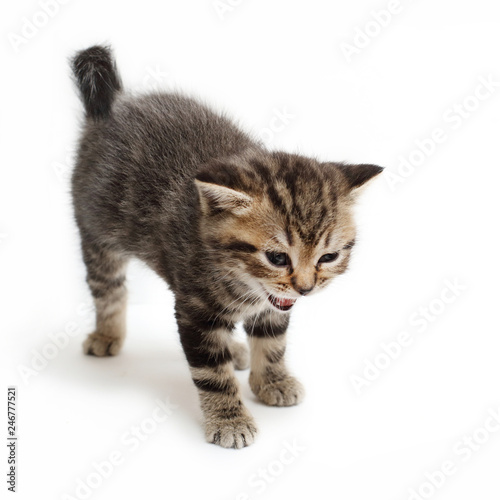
(236, 432)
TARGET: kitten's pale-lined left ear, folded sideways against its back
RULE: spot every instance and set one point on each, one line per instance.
(215, 198)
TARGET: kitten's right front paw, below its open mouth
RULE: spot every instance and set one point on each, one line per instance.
(285, 392)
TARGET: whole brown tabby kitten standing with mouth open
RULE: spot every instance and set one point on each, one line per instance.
(238, 232)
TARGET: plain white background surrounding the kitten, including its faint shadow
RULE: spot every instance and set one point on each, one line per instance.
(439, 223)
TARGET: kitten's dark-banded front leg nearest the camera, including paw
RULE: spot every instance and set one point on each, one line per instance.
(207, 345)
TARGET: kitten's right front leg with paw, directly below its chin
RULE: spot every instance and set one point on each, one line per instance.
(269, 377)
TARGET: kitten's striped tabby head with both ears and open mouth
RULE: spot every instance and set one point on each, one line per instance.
(280, 223)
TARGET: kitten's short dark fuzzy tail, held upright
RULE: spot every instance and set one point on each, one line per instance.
(97, 79)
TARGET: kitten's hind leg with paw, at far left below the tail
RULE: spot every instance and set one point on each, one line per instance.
(106, 279)
